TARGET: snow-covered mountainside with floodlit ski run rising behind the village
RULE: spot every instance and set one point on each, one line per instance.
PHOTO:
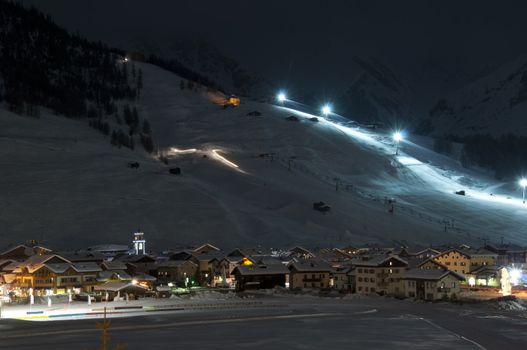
(246, 181)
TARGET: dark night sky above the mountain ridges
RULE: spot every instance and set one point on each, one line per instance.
(310, 43)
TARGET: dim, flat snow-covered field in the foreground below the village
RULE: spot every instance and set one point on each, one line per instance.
(288, 321)
